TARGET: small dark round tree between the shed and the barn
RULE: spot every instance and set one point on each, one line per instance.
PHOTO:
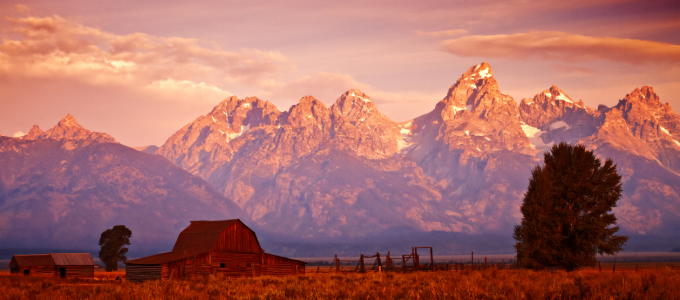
(112, 250)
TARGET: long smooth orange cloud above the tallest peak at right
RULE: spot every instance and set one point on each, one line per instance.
(563, 47)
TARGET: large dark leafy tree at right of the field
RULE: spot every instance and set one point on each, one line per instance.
(567, 217)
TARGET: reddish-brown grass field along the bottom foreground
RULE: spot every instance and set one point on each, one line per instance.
(661, 283)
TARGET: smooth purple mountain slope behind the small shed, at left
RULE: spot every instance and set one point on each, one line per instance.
(64, 192)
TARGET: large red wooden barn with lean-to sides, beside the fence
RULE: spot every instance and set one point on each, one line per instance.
(221, 248)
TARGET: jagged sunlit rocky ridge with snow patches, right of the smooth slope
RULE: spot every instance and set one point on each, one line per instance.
(348, 170)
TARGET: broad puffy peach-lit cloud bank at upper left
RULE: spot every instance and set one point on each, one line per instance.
(56, 48)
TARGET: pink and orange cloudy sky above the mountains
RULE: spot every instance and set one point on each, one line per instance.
(141, 70)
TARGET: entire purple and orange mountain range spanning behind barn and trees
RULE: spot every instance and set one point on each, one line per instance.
(346, 171)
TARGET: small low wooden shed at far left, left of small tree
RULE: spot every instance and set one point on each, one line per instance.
(63, 265)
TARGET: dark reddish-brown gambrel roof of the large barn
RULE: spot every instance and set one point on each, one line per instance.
(201, 236)
